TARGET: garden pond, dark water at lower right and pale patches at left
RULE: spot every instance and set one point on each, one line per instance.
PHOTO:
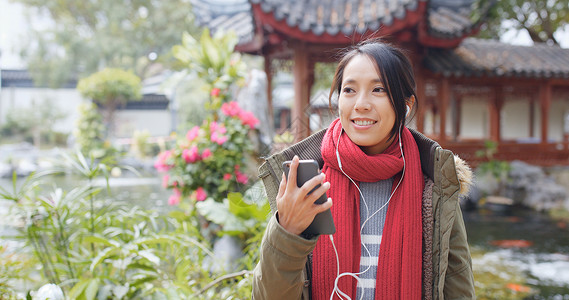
(520, 255)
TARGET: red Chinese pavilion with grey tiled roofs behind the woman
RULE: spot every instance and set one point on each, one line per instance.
(470, 90)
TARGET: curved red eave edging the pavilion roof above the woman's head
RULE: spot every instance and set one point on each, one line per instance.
(411, 19)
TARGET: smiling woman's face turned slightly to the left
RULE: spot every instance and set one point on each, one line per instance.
(366, 112)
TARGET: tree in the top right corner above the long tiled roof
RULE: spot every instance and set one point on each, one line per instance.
(540, 18)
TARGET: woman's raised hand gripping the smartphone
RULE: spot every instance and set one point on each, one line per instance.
(296, 209)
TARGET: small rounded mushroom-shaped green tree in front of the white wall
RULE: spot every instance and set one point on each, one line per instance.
(110, 88)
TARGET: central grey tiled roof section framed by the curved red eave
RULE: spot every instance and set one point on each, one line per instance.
(335, 16)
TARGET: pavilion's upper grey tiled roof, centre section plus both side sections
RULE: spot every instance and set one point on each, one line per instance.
(446, 19)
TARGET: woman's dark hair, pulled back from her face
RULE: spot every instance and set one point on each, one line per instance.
(396, 75)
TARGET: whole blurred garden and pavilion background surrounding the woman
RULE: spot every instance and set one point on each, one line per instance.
(130, 124)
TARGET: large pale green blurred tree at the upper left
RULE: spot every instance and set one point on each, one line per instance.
(89, 35)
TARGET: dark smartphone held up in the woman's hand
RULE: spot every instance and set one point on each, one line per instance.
(323, 222)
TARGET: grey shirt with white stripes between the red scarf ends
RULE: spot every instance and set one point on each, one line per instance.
(376, 195)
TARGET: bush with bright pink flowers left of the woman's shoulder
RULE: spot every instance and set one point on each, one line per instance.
(209, 160)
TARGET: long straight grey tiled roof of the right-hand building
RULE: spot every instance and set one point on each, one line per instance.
(477, 57)
